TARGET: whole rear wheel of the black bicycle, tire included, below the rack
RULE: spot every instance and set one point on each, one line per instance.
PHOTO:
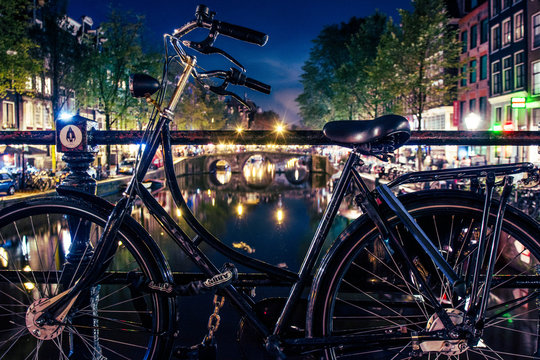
(347, 298)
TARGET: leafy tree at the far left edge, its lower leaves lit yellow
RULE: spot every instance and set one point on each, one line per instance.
(17, 64)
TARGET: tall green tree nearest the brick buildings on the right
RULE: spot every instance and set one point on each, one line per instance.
(425, 51)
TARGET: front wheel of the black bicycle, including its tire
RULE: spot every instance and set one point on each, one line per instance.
(123, 322)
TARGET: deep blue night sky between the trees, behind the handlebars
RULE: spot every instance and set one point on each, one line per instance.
(291, 25)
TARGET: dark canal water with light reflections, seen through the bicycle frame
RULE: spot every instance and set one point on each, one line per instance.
(270, 215)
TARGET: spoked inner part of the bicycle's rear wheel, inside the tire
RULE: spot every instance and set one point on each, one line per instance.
(401, 309)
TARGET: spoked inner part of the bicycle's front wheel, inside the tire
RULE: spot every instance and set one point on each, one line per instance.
(118, 323)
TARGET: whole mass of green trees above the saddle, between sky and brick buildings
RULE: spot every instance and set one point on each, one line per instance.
(370, 66)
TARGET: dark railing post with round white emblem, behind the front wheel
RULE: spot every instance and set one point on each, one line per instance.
(72, 140)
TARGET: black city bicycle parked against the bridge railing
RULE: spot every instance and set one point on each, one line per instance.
(440, 273)
